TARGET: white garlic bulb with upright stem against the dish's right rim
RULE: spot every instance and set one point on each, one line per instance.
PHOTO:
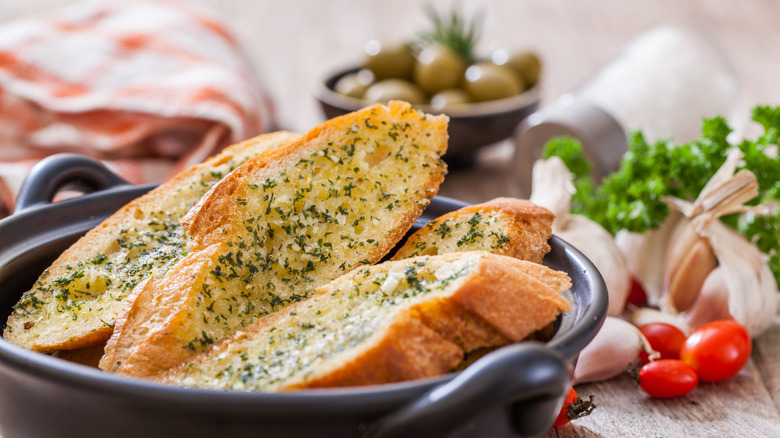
(552, 189)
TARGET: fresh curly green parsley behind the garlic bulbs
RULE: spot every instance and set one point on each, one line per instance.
(630, 198)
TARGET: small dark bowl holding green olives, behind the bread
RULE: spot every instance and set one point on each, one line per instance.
(470, 128)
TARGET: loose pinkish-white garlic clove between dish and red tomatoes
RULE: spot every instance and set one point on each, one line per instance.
(615, 346)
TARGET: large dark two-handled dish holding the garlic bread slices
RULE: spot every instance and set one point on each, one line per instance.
(514, 391)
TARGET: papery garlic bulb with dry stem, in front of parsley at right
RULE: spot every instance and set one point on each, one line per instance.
(702, 238)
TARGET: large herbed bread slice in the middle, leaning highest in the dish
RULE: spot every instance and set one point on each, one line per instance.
(281, 225)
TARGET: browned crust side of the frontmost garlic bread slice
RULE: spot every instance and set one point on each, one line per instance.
(427, 339)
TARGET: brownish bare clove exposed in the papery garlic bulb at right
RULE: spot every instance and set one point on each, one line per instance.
(689, 274)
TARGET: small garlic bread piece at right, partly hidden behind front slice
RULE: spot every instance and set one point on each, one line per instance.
(507, 226)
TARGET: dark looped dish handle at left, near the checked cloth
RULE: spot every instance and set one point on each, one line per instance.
(58, 172)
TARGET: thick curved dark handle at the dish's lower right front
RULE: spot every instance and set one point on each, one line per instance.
(528, 379)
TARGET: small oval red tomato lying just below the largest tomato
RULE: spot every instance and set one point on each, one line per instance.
(667, 378)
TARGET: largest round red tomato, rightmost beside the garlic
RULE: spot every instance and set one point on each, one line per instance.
(717, 350)
